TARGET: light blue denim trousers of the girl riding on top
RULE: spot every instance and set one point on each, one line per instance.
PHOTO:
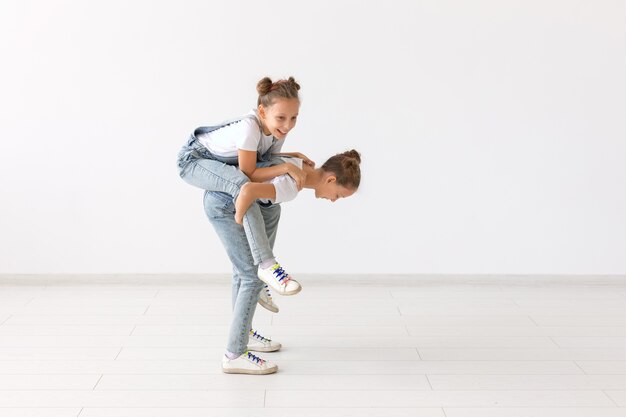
(199, 168)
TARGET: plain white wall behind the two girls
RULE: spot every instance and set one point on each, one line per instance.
(492, 132)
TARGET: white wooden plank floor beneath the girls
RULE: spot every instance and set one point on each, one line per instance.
(370, 346)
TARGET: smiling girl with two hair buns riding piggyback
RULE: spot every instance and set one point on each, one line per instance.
(213, 154)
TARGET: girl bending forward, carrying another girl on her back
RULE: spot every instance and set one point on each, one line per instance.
(338, 177)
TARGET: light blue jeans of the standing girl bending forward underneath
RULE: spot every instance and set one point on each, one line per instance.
(220, 211)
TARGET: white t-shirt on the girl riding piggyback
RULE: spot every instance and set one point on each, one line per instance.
(244, 134)
